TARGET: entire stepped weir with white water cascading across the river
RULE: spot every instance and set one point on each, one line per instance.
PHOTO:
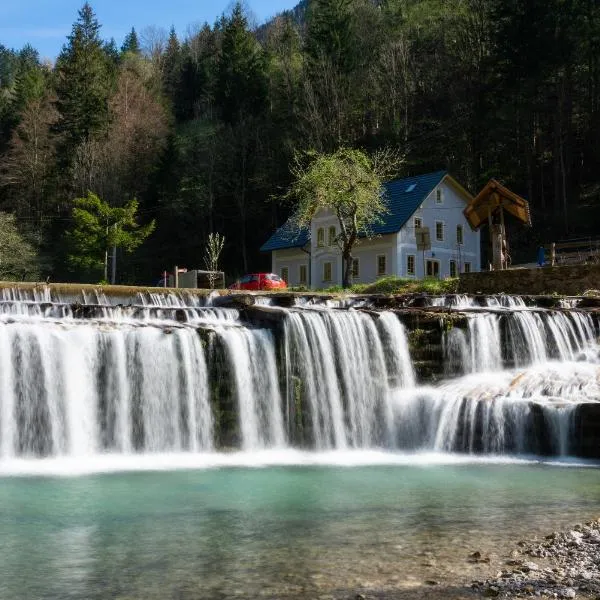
(88, 374)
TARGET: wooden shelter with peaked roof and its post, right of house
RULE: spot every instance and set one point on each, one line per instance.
(489, 207)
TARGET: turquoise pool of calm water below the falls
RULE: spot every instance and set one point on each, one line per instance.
(274, 532)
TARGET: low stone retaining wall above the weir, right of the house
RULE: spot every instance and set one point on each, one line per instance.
(569, 280)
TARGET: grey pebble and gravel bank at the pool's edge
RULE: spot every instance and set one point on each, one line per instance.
(563, 565)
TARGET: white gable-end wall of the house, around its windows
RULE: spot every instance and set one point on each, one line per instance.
(450, 212)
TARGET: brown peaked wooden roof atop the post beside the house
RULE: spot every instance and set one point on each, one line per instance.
(492, 198)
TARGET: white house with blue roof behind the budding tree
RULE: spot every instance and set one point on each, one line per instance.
(435, 200)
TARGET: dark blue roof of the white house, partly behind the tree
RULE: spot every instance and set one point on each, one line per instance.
(403, 197)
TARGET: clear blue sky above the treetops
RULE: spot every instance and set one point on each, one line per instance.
(46, 23)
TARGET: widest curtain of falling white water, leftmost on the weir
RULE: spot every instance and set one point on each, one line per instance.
(80, 389)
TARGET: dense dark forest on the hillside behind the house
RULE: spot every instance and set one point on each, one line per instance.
(197, 133)
